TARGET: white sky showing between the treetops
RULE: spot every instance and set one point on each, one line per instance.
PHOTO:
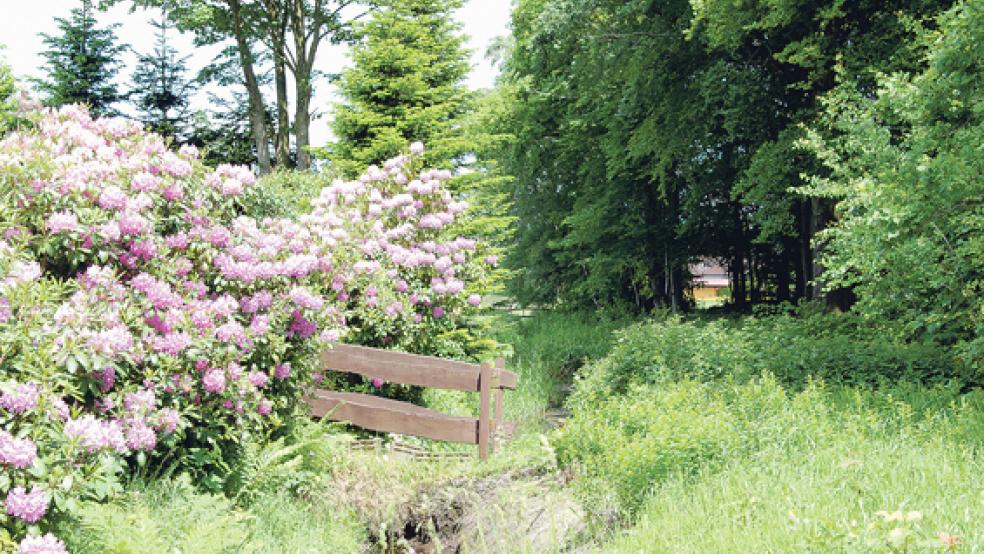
(22, 20)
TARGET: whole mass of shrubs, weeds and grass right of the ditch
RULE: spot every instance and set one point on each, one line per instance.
(778, 433)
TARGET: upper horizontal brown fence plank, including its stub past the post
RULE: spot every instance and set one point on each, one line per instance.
(409, 369)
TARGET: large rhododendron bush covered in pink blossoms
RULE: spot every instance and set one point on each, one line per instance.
(147, 321)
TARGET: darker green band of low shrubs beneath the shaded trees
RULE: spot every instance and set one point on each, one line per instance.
(796, 349)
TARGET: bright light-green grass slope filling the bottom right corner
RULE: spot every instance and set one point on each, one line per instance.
(828, 464)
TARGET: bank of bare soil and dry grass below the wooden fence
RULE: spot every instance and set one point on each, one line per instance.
(519, 510)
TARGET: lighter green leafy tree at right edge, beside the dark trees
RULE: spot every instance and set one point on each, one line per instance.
(905, 168)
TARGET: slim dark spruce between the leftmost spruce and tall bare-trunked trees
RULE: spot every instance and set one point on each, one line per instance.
(161, 90)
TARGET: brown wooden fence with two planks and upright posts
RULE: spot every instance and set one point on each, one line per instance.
(394, 416)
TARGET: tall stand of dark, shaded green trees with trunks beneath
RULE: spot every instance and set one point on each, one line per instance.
(648, 134)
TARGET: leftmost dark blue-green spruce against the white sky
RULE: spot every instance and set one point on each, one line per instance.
(83, 61)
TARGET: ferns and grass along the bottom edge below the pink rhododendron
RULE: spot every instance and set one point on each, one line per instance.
(170, 515)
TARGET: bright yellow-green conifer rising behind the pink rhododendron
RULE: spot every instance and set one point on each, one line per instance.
(406, 84)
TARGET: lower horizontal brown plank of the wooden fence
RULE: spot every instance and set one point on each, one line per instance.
(392, 416)
